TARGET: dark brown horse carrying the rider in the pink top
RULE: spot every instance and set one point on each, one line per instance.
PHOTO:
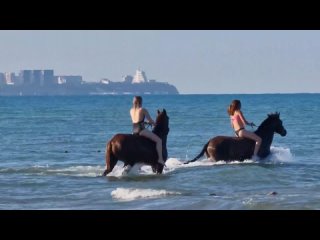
(239, 148)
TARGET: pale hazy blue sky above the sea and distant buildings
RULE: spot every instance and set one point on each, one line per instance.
(200, 62)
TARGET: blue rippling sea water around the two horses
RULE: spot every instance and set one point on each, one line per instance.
(52, 154)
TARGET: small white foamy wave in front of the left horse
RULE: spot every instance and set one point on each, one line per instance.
(130, 194)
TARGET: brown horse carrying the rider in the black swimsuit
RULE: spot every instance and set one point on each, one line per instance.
(132, 149)
